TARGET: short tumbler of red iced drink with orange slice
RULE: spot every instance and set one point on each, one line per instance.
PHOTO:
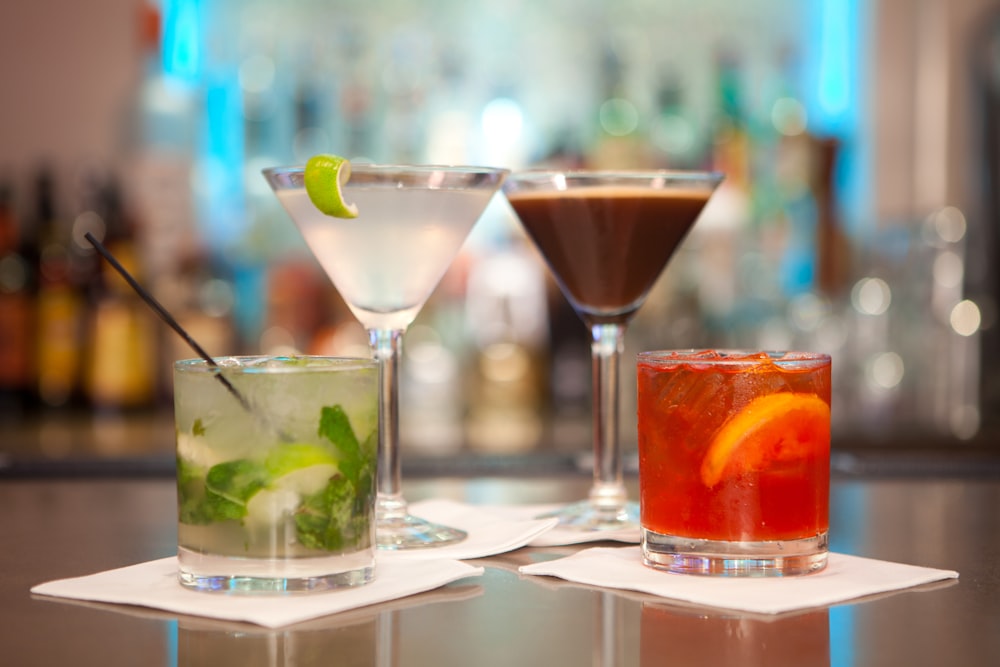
(734, 461)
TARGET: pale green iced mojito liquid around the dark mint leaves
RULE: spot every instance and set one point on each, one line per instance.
(214, 429)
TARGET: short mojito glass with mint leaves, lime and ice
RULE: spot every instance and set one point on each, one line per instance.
(276, 461)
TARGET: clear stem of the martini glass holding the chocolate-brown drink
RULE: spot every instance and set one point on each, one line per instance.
(607, 344)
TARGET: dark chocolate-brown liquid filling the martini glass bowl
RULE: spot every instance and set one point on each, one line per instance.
(607, 245)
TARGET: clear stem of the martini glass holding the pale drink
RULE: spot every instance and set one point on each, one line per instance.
(386, 345)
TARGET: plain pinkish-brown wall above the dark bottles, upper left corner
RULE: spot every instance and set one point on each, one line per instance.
(66, 70)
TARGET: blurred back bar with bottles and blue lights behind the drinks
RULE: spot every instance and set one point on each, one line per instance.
(859, 216)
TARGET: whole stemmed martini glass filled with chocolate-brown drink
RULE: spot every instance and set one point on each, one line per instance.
(606, 237)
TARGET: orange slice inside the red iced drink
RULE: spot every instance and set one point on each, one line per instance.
(773, 428)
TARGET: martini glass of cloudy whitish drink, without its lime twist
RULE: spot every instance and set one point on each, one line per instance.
(385, 263)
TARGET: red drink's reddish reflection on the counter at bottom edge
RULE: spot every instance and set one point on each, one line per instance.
(694, 637)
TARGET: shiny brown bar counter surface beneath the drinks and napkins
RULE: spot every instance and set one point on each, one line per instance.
(58, 526)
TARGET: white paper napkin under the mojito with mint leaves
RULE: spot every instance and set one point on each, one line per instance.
(154, 584)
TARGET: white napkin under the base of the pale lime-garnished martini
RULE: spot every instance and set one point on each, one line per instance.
(490, 532)
